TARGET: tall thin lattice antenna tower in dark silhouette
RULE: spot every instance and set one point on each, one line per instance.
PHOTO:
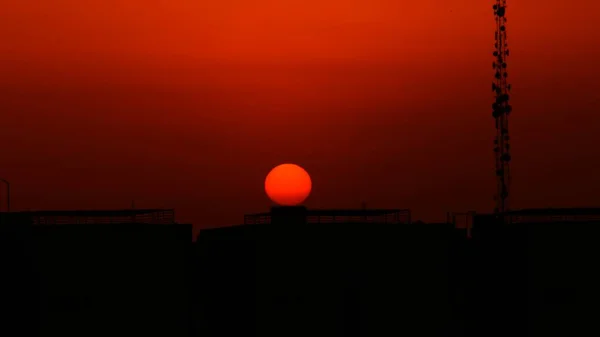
(501, 109)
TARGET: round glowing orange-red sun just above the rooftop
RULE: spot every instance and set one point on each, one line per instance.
(288, 185)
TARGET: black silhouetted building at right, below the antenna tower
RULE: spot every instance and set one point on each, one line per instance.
(534, 273)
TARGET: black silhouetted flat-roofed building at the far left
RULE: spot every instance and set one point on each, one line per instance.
(99, 273)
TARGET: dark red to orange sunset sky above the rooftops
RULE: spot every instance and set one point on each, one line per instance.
(189, 104)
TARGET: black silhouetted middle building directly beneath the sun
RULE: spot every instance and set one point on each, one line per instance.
(341, 273)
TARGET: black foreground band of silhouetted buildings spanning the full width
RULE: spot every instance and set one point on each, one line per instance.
(297, 280)
